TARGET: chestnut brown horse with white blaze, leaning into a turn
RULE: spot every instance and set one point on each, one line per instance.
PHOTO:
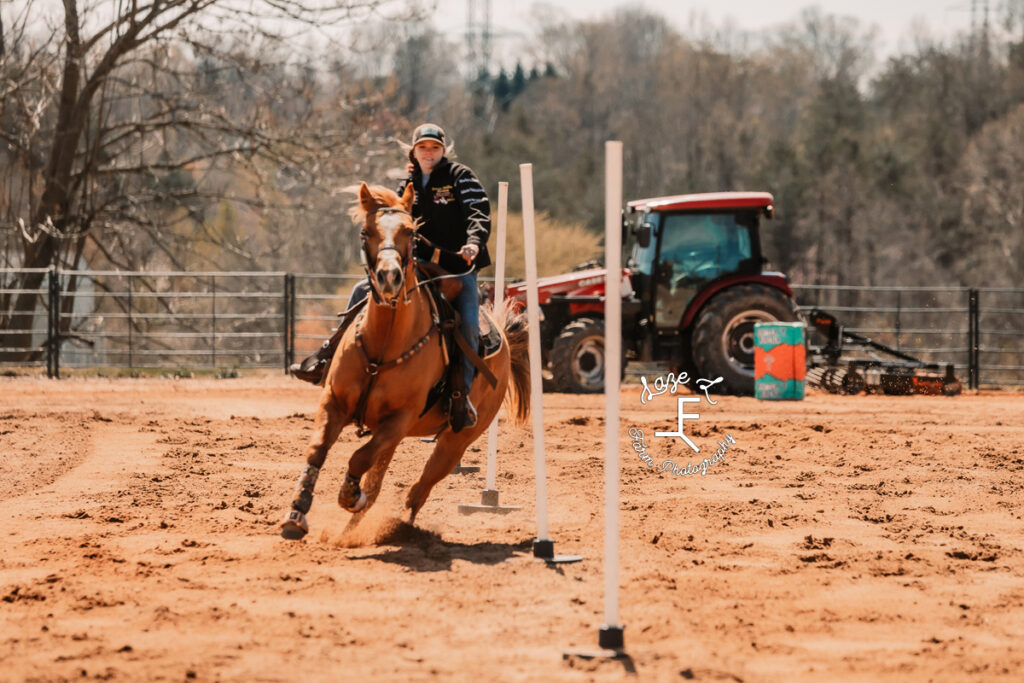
(387, 365)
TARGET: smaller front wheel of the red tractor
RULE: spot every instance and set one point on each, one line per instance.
(578, 358)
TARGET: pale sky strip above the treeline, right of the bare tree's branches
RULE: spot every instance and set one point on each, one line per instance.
(511, 20)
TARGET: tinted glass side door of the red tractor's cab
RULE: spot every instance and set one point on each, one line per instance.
(695, 250)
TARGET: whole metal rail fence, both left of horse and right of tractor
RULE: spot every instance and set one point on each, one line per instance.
(224, 321)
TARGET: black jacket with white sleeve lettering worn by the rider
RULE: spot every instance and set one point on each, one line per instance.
(454, 210)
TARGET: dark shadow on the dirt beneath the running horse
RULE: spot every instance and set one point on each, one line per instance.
(421, 550)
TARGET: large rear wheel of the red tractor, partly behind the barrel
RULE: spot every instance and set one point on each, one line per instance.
(723, 337)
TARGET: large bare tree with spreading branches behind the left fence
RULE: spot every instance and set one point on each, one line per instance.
(140, 114)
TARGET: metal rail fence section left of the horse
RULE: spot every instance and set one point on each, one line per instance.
(173, 321)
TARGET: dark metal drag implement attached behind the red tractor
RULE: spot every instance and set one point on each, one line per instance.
(849, 364)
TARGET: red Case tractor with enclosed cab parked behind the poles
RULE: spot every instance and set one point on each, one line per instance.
(694, 290)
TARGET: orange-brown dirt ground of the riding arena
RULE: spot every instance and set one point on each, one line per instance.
(838, 539)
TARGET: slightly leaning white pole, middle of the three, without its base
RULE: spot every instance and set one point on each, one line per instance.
(534, 321)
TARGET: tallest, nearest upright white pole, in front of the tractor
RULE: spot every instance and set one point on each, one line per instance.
(613, 365)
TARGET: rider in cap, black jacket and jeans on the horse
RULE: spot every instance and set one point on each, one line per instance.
(455, 216)
